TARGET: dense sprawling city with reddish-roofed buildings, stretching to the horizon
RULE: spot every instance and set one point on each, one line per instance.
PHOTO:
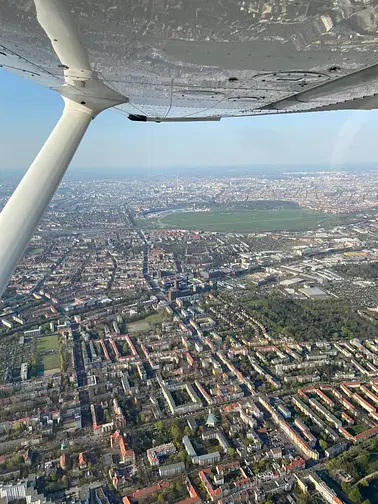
(145, 362)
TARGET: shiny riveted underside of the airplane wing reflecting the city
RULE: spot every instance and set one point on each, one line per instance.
(208, 59)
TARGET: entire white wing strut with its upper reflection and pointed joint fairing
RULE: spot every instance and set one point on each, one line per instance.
(84, 95)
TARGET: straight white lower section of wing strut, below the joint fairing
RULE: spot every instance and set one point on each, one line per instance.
(27, 204)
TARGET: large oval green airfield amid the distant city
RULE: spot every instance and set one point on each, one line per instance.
(252, 220)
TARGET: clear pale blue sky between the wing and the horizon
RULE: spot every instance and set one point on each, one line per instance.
(28, 112)
